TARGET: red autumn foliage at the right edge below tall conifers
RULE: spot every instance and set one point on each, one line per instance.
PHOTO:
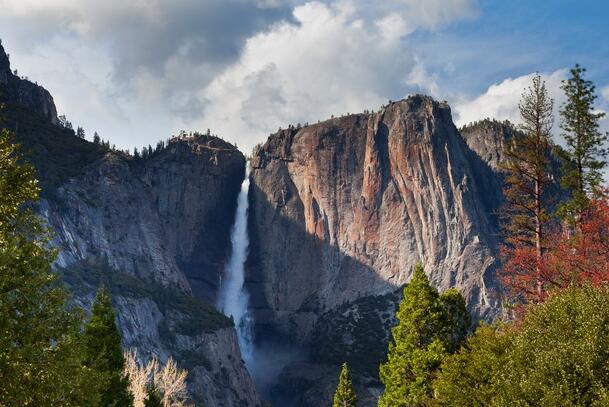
(573, 256)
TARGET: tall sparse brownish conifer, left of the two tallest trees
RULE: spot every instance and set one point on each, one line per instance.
(527, 166)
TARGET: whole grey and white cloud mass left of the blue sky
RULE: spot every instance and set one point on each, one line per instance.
(138, 71)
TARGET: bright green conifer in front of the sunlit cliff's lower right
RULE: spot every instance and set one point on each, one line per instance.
(430, 327)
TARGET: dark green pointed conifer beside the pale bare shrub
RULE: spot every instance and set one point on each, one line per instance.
(103, 353)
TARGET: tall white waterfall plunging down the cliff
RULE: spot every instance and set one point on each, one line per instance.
(233, 299)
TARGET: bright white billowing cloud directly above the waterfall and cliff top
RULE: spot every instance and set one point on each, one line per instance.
(326, 63)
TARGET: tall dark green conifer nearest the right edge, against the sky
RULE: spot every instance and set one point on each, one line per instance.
(585, 152)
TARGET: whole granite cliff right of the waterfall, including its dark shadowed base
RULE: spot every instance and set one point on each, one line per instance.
(341, 211)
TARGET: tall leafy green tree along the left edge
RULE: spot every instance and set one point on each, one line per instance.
(40, 361)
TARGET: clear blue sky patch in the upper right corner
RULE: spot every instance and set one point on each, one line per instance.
(517, 37)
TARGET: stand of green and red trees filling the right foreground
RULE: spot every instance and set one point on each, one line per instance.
(552, 347)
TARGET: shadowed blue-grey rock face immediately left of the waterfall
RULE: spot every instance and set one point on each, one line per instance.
(166, 217)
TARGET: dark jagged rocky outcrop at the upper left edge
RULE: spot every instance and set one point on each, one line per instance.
(23, 92)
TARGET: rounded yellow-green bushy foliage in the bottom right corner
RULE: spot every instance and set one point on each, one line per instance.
(558, 355)
